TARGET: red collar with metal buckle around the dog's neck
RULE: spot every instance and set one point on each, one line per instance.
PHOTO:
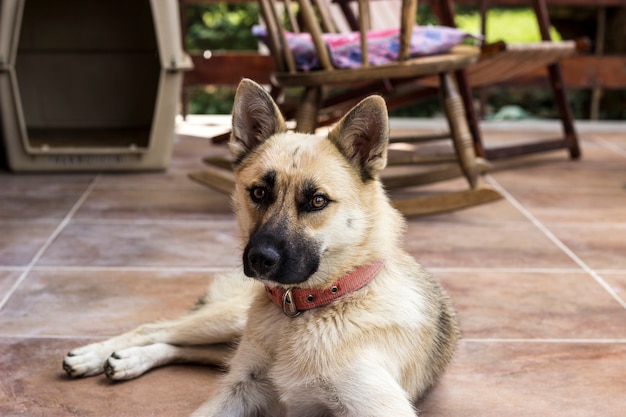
(295, 300)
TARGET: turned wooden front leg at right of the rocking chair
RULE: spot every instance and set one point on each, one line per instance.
(461, 137)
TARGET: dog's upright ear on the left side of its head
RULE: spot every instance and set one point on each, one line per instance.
(255, 118)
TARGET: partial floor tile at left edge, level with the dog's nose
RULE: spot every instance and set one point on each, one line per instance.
(20, 240)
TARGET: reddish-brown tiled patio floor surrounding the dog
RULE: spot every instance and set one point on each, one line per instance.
(539, 279)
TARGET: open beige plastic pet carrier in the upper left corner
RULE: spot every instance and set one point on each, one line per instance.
(89, 84)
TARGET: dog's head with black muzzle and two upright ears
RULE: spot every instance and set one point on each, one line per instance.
(305, 203)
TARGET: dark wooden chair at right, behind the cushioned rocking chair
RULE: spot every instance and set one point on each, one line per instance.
(501, 62)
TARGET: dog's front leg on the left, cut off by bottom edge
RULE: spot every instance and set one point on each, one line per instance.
(246, 391)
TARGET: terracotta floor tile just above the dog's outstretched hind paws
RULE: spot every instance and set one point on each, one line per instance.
(90, 303)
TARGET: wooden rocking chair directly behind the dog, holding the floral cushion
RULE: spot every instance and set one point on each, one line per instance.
(315, 108)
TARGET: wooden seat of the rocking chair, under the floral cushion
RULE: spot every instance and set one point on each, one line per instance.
(458, 57)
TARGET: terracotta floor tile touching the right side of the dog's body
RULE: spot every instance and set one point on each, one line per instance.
(513, 304)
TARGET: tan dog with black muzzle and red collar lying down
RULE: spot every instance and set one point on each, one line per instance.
(328, 315)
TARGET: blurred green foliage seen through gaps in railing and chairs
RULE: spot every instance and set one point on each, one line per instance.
(228, 26)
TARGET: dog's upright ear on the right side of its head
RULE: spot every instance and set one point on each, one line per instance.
(362, 136)
